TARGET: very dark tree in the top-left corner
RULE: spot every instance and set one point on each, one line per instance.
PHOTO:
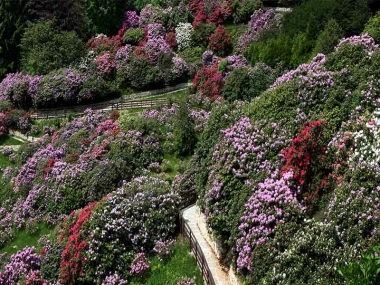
(13, 17)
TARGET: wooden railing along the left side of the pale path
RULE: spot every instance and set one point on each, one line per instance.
(197, 251)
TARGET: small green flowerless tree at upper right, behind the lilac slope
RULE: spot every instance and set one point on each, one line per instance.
(329, 38)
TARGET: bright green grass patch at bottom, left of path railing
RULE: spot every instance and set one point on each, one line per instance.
(180, 263)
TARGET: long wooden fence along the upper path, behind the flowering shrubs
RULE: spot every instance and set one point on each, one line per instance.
(79, 110)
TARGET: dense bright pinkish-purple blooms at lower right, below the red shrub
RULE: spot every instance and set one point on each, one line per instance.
(273, 202)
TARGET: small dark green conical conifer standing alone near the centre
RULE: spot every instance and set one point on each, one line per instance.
(184, 132)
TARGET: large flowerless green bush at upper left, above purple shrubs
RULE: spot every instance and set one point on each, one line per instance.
(44, 48)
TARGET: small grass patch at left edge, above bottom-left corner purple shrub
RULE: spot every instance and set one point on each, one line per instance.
(23, 238)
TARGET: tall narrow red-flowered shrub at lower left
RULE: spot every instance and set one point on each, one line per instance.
(73, 255)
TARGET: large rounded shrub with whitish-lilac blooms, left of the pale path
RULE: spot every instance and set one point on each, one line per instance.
(129, 221)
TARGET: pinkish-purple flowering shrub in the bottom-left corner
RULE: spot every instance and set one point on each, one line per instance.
(21, 264)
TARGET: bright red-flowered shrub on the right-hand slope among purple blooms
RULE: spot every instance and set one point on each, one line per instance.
(306, 158)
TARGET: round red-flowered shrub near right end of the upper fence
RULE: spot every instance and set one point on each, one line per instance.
(209, 82)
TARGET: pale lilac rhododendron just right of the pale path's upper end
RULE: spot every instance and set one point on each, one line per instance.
(244, 152)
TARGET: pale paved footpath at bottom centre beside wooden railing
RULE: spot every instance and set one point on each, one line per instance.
(220, 276)
